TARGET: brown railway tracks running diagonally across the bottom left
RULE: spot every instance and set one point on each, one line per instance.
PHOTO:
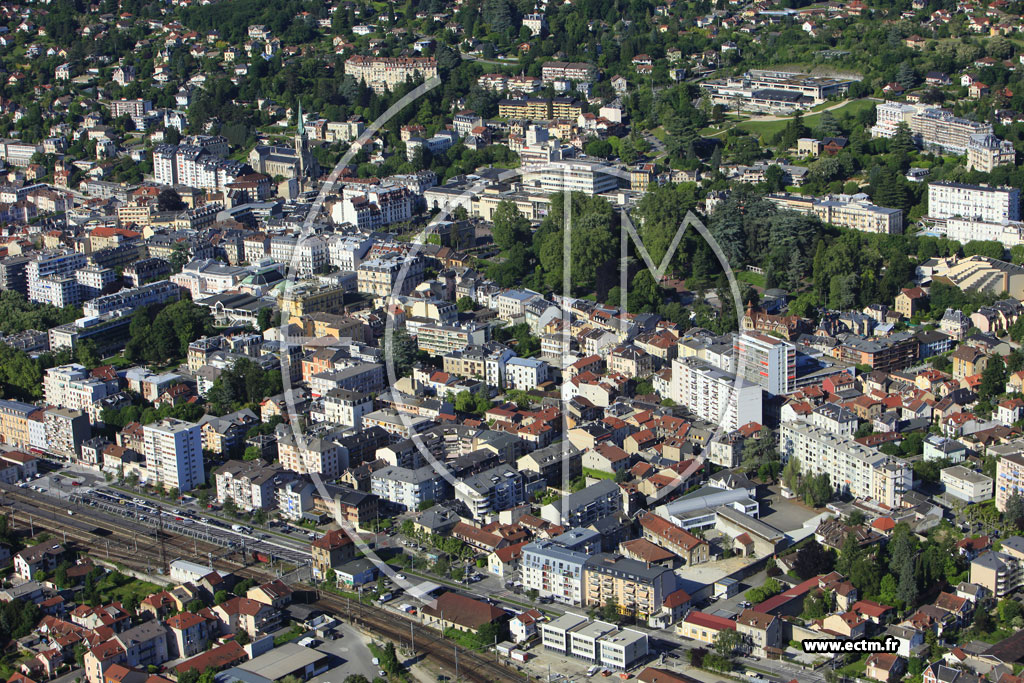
(143, 548)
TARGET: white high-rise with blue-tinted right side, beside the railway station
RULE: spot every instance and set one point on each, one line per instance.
(174, 451)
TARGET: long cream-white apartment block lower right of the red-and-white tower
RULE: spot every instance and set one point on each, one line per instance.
(858, 469)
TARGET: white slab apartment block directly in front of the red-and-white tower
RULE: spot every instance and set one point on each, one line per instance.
(714, 395)
